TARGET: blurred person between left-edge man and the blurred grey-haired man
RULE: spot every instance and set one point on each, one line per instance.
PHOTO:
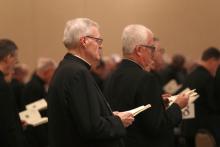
(19, 78)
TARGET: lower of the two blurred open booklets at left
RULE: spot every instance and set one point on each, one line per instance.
(32, 117)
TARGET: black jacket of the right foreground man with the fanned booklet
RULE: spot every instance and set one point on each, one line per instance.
(129, 87)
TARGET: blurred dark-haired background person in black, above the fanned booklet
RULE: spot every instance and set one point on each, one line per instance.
(174, 71)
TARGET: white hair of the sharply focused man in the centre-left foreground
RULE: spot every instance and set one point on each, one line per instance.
(75, 29)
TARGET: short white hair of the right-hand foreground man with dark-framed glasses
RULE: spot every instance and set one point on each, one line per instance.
(133, 35)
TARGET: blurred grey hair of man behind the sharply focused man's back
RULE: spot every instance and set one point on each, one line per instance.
(45, 63)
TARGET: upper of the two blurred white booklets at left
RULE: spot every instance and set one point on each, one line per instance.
(37, 105)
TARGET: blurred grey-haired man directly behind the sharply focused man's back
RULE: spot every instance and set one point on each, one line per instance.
(34, 90)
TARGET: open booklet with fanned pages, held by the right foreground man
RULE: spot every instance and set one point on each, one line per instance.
(192, 96)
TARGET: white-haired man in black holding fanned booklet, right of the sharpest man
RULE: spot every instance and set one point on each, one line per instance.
(131, 86)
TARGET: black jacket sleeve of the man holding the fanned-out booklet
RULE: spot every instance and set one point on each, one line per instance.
(157, 119)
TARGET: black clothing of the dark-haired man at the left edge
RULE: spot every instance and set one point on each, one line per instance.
(11, 133)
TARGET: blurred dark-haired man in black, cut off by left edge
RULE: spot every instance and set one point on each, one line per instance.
(11, 133)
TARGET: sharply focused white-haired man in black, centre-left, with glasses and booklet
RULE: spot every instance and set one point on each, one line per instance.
(78, 114)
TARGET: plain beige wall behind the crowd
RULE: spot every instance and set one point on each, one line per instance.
(186, 27)
